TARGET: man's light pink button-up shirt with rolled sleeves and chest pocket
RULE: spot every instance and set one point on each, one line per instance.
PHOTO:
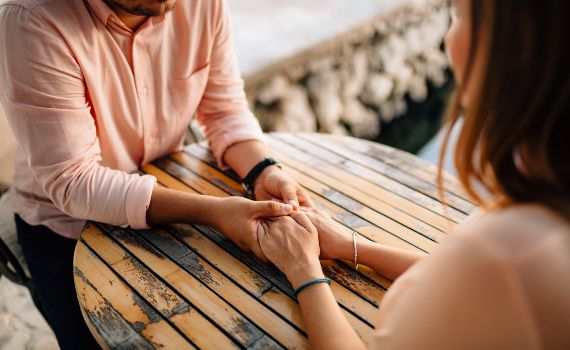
(90, 101)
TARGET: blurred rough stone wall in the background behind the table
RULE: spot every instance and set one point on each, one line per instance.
(357, 82)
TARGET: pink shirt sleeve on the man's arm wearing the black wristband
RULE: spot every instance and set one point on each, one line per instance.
(224, 111)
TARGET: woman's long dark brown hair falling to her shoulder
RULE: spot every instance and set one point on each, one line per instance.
(516, 134)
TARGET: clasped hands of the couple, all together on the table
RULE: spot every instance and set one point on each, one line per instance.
(283, 227)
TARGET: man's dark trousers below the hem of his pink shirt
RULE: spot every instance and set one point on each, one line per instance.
(50, 260)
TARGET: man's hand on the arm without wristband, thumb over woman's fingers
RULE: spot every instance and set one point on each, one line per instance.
(240, 220)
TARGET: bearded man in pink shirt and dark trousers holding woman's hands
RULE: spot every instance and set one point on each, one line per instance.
(94, 89)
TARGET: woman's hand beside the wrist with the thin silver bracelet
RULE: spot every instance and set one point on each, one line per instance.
(335, 241)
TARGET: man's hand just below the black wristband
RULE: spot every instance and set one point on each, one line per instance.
(275, 184)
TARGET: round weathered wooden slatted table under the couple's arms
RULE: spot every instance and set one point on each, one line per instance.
(187, 286)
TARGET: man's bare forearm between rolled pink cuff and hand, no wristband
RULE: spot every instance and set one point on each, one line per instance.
(167, 206)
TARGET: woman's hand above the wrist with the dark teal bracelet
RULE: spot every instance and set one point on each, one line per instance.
(292, 244)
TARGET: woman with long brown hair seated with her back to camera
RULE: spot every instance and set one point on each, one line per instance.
(502, 280)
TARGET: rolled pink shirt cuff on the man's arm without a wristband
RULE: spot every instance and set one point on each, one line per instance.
(138, 201)
